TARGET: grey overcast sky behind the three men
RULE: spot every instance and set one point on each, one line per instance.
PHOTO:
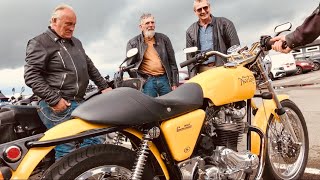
(104, 27)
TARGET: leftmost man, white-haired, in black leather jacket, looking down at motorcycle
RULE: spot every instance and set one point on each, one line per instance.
(58, 71)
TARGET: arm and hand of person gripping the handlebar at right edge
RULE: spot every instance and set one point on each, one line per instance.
(306, 33)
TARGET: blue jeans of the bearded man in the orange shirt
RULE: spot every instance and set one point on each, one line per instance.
(156, 86)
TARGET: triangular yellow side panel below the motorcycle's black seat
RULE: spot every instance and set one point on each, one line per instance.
(181, 133)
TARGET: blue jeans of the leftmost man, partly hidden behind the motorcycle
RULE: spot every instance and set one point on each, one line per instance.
(51, 119)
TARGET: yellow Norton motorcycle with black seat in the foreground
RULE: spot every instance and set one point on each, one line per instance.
(194, 132)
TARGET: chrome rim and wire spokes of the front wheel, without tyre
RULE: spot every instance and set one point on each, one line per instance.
(286, 158)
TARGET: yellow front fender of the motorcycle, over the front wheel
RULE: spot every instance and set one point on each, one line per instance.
(261, 120)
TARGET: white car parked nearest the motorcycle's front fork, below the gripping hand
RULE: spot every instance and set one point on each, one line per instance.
(275, 70)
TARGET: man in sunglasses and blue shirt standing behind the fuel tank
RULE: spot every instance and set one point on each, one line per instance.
(209, 33)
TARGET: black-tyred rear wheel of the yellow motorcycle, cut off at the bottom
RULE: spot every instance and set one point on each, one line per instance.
(102, 161)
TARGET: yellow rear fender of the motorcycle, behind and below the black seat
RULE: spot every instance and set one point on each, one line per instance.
(69, 128)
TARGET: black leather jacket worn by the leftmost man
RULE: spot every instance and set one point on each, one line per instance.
(56, 68)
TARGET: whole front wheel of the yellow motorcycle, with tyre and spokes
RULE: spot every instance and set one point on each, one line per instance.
(286, 160)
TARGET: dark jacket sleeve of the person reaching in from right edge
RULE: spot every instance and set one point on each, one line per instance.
(307, 32)
